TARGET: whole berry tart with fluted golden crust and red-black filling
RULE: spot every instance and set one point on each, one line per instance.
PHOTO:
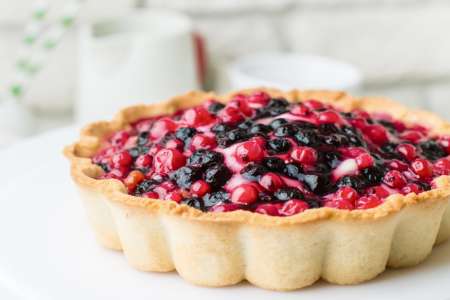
(277, 188)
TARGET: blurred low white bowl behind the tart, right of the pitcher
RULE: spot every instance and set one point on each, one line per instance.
(288, 71)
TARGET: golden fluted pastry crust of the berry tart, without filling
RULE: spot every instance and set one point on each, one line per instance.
(272, 252)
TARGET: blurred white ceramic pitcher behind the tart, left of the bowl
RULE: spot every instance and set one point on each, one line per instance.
(143, 58)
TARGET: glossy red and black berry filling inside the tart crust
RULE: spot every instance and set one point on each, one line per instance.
(271, 157)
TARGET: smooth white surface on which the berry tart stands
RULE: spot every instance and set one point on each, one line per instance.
(48, 252)
